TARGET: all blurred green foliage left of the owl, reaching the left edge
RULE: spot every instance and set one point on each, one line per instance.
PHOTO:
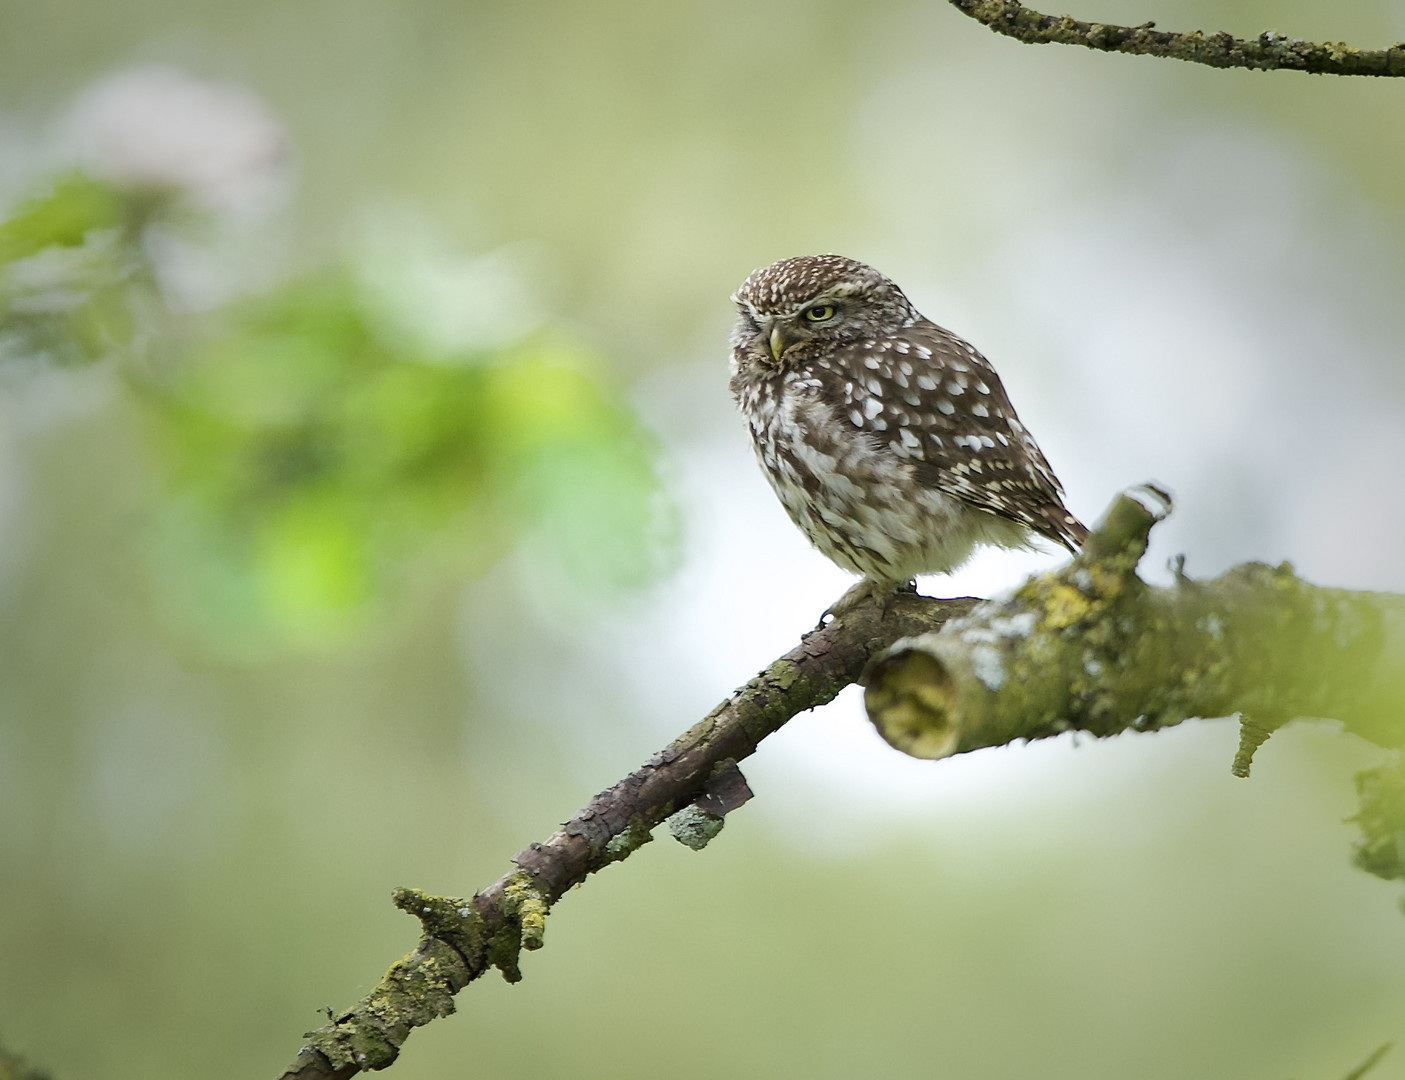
(321, 463)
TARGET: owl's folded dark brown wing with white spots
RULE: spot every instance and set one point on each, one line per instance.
(939, 404)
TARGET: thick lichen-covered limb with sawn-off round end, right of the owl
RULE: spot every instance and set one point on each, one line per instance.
(1094, 648)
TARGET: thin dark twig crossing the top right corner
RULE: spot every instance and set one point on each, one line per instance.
(1269, 51)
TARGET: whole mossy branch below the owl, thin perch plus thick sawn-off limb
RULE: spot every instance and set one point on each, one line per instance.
(1088, 648)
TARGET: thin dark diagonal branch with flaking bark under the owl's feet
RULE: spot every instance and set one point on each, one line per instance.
(695, 782)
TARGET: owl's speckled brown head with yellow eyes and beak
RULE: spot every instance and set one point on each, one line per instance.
(796, 304)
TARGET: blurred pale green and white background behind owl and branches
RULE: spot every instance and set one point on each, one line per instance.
(370, 498)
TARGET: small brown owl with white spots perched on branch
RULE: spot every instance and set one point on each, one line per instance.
(889, 440)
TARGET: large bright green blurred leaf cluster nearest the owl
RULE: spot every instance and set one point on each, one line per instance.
(322, 467)
